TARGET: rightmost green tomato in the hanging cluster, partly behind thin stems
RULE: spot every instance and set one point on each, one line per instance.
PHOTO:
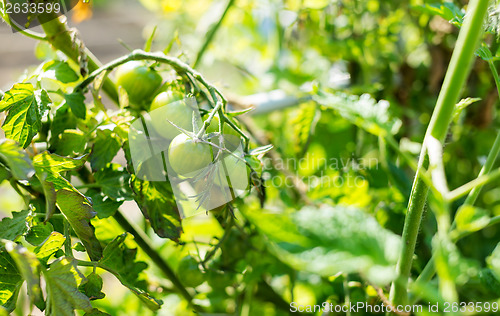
(232, 172)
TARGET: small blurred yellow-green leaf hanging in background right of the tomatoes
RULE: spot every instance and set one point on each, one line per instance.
(303, 126)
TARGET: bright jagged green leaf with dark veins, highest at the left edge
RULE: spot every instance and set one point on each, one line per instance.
(26, 108)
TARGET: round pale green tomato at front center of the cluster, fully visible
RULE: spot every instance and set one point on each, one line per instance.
(188, 156)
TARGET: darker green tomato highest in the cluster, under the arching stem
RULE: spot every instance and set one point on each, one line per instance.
(139, 81)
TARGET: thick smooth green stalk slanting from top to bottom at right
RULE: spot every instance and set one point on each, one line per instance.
(456, 75)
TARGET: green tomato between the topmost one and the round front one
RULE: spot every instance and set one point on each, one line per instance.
(169, 107)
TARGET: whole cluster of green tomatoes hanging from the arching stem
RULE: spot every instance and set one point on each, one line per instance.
(172, 118)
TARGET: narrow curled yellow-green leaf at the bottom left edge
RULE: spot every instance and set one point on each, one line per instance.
(29, 268)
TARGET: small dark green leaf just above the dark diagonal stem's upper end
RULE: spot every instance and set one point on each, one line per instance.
(114, 182)
